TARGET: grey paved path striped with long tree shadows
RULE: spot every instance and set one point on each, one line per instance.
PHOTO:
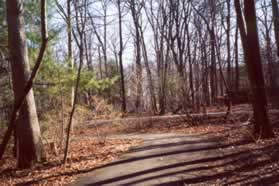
(163, 159)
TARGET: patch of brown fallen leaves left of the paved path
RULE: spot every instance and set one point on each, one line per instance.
(85, 155)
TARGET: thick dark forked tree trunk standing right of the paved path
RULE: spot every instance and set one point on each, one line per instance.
(250, 42)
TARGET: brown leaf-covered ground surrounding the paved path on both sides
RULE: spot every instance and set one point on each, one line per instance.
(97, 145)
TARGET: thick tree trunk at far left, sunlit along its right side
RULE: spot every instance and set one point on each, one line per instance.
(30, 146)
